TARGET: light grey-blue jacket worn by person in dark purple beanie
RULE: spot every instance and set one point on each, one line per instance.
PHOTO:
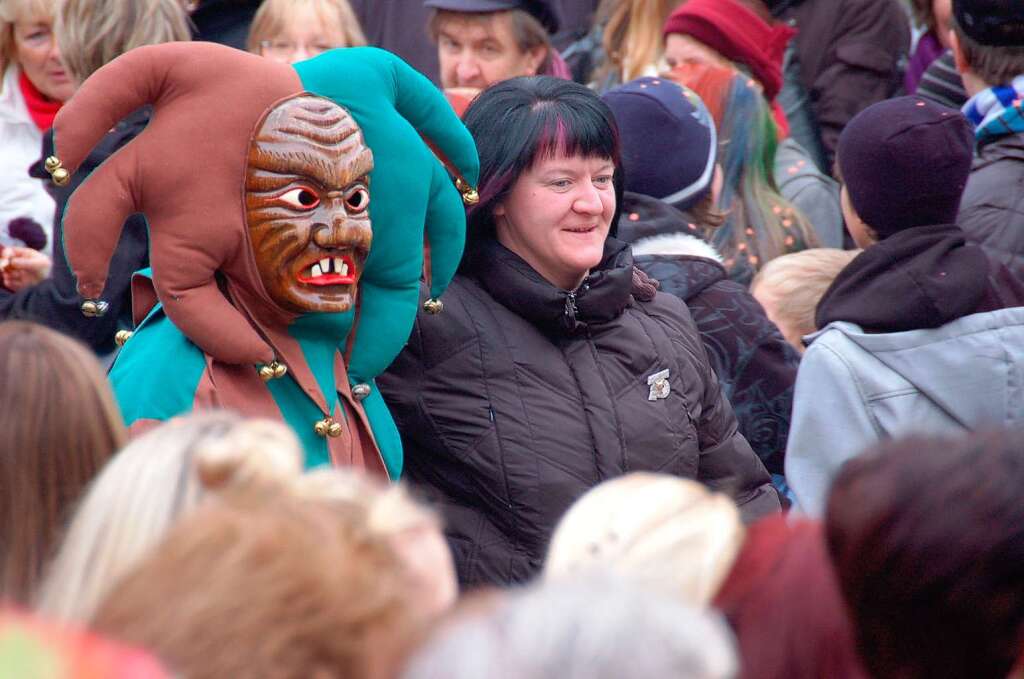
(857, 389)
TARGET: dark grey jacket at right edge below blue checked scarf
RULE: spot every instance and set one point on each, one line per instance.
(993, 208)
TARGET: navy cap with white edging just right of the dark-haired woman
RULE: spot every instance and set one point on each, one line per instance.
(668, 141)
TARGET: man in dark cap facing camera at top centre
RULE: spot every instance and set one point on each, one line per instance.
(482, 43)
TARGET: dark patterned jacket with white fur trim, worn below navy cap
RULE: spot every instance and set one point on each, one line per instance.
(756, 366)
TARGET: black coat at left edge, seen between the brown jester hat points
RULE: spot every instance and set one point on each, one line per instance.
(56, 302)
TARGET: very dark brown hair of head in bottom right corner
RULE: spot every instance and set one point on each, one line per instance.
(927, 536)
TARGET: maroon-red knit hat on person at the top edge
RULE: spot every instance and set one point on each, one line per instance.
(738, 34)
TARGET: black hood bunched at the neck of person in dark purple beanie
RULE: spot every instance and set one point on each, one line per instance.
(921, 278)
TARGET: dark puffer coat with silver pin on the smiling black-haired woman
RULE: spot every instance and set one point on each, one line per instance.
(521, 397)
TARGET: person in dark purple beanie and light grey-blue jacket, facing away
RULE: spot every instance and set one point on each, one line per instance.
(922, 332)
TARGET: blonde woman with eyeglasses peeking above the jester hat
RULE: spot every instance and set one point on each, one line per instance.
(292, 31)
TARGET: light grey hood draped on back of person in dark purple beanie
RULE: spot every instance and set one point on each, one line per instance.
(979, 355)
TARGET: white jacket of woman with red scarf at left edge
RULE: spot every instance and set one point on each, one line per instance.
(22, 142)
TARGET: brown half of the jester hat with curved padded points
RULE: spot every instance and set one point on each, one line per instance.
(186, 173)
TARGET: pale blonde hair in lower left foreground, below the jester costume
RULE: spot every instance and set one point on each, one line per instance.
(147, 488)
